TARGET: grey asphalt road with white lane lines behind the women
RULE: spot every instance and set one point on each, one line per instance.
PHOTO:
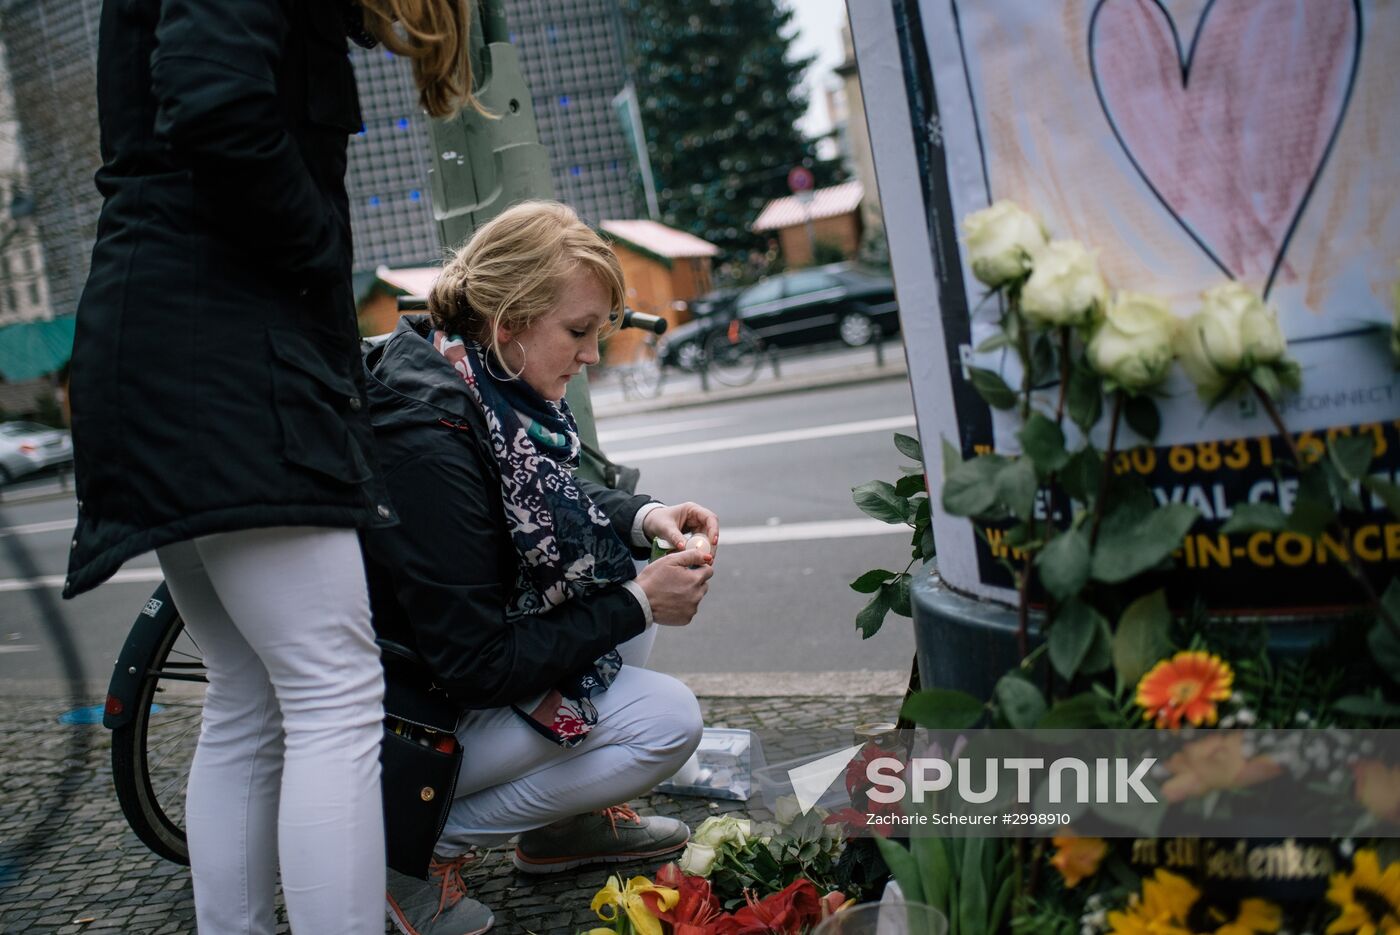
(776, 470)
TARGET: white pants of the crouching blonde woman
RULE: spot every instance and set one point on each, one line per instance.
(514, 780)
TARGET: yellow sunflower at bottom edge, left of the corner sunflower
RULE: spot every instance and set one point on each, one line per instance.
(1171, 905)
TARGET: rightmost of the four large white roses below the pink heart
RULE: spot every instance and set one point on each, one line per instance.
(1231, 335)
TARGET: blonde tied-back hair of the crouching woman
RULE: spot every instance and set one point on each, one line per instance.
(512, 271)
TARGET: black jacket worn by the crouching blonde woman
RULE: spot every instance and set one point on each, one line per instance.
(442, 579)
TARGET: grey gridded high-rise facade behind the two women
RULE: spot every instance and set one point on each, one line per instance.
(573, 61)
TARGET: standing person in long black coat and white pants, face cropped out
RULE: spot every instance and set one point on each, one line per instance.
(218, 416)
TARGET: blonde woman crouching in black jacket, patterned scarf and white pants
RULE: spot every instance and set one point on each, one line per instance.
(513, 579)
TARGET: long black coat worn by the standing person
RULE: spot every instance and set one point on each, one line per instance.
(216, 367)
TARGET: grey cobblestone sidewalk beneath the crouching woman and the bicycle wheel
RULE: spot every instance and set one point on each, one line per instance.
(87, 873)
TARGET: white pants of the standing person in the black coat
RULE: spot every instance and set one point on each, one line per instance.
(288, 764)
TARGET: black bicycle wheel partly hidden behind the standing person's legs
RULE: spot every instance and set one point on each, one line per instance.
(152, 754)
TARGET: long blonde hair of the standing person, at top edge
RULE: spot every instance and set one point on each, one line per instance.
(436, 36)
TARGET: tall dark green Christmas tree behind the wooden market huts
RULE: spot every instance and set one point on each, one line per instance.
(720, 100)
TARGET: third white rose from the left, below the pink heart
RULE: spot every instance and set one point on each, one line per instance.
(1133, 345)
